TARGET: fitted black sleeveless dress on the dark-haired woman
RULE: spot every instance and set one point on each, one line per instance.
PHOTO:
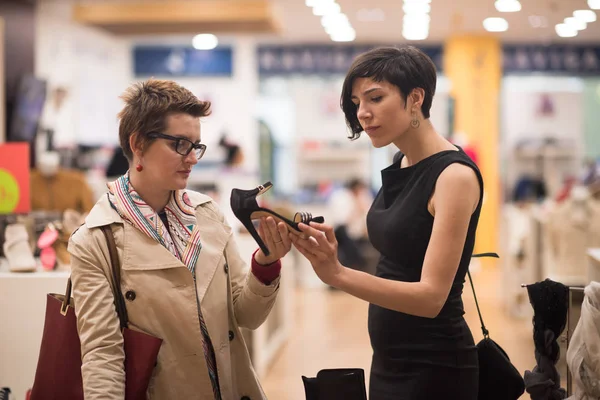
(414, 357)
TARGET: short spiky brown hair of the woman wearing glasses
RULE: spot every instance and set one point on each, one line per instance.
(147, 105)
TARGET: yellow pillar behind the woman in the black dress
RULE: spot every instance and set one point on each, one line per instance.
(474, 66)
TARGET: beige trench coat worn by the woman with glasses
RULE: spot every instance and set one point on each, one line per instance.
(161, 301)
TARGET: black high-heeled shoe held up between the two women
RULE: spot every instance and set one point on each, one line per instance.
(245, 208)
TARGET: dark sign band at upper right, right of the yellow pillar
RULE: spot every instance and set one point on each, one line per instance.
(575, 59)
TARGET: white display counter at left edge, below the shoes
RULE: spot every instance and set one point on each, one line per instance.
(22, 313)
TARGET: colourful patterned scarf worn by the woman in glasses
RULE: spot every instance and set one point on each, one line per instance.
(181, 238)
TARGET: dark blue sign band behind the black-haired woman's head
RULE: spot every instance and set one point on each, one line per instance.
(319, 59)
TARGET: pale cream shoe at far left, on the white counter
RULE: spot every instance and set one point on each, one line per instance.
(17, 250)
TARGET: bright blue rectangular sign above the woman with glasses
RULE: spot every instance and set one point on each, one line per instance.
(182, 61)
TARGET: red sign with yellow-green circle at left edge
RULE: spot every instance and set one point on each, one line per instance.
(14, 178)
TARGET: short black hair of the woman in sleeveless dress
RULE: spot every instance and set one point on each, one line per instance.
(406, 68)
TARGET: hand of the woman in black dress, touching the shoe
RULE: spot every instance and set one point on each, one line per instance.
(320, 248)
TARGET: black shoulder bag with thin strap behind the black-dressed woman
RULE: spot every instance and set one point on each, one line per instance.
(498, 377)
